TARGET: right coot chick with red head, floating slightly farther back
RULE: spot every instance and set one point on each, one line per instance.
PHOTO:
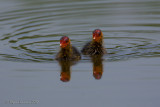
(95, 47)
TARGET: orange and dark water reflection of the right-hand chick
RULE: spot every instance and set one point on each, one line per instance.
(97, 66)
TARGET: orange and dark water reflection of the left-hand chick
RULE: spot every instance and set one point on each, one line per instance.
(65, 75)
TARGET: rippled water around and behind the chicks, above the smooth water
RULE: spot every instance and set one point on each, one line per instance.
(30, 30)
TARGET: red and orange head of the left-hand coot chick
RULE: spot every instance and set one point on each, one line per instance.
(64, 42)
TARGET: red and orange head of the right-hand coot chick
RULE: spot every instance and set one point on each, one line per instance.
(97, 35)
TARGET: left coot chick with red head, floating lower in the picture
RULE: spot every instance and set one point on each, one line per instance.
(67, 52)
